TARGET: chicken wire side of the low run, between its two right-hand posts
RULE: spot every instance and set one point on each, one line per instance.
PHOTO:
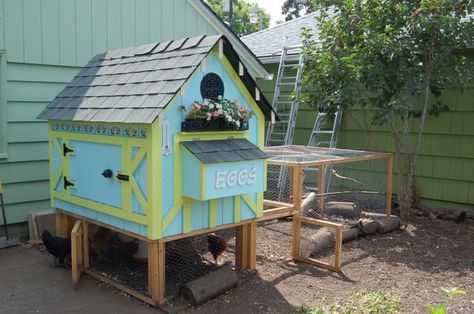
(349, 191)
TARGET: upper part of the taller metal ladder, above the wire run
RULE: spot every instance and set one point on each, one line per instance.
(286, 99)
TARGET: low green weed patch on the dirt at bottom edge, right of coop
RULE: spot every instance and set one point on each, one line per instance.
(360, 303)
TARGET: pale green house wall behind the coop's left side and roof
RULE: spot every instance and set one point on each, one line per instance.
(46, 42)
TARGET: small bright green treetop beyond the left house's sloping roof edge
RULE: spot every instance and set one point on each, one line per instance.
(240, 17)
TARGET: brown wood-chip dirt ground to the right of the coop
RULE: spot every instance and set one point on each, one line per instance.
(412, 265)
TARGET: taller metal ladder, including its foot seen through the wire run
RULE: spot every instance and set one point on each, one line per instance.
(285, 103)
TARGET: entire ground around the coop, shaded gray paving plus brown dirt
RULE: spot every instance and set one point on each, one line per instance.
(412, 265)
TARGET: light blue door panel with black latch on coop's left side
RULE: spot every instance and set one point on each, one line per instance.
(88, 170)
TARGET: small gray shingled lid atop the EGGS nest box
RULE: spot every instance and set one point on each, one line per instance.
(229, 150)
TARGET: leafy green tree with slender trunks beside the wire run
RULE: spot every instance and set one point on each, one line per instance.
(394, 56)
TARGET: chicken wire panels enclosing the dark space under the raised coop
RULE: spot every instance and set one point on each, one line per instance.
(123, 258)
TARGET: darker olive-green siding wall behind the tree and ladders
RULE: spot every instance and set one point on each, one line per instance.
(445, 168)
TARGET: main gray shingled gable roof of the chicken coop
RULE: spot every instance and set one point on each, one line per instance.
(134, 85)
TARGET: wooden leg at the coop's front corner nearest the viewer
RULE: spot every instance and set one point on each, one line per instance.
(156, 271)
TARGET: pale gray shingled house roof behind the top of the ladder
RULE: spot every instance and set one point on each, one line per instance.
(267, 43)
